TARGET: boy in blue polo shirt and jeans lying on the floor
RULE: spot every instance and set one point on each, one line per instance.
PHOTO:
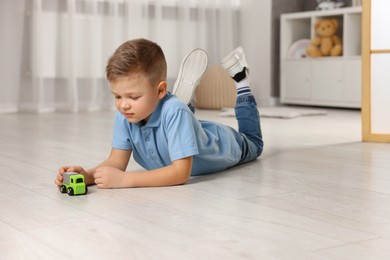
(160, 130)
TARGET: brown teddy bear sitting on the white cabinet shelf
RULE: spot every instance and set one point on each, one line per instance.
(326, 43)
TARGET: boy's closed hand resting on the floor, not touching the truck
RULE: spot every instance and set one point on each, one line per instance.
(109, 177)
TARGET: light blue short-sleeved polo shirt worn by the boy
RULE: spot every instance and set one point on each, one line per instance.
(171, 133)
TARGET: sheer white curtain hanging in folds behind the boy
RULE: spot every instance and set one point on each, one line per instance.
(59, 48)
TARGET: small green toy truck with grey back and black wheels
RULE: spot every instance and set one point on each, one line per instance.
(73, 184)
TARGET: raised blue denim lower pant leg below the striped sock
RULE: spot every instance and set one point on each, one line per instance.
(249, 131)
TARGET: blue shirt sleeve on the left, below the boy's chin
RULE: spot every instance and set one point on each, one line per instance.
(121, 137)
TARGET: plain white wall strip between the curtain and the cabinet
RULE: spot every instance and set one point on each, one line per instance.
(256, 20)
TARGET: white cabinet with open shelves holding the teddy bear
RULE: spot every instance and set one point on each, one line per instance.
(324, 81)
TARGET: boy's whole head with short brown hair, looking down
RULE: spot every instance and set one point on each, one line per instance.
(137, 74)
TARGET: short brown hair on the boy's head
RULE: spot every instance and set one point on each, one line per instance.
(139, 56)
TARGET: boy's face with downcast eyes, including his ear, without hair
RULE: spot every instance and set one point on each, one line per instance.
(136, 98)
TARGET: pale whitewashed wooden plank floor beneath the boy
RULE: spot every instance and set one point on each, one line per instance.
(317, 192)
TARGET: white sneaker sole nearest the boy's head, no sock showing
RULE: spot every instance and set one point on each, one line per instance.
(192, 68)
